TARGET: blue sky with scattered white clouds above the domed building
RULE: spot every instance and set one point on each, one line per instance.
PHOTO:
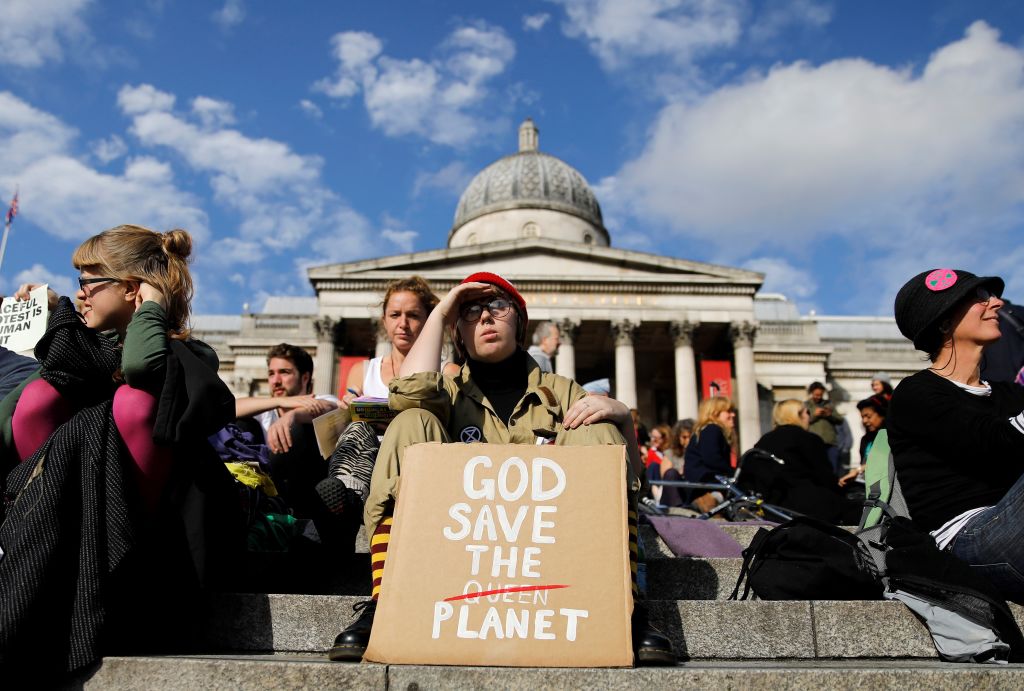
(839, 148)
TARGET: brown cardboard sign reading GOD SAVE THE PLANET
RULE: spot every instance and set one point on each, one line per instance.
(508, 555)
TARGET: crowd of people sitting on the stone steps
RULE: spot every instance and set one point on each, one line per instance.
(124, 455)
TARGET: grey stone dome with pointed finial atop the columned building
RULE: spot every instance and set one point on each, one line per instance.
(530, 181)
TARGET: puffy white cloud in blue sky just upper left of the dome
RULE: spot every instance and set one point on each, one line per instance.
(444, 100)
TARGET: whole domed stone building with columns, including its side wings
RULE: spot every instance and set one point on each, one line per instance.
(666, 332)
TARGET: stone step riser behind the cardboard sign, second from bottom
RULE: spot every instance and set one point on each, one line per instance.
(701, 630)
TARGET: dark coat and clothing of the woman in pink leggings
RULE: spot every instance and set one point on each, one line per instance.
(83, 565)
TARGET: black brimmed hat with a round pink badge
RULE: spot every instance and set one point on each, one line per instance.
(928, 297)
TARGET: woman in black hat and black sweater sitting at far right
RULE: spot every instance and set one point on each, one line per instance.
(958, 442)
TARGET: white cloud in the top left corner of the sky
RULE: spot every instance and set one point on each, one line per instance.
(32, 31)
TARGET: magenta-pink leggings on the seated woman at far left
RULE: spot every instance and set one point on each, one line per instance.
(41, 410)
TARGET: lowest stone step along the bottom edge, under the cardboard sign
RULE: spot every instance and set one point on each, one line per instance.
(279, 672)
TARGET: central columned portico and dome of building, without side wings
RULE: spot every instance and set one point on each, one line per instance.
(626, 316)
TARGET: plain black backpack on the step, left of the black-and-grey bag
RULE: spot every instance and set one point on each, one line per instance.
(808, 559)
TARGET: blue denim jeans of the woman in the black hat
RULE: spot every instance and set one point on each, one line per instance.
(993, 543)
